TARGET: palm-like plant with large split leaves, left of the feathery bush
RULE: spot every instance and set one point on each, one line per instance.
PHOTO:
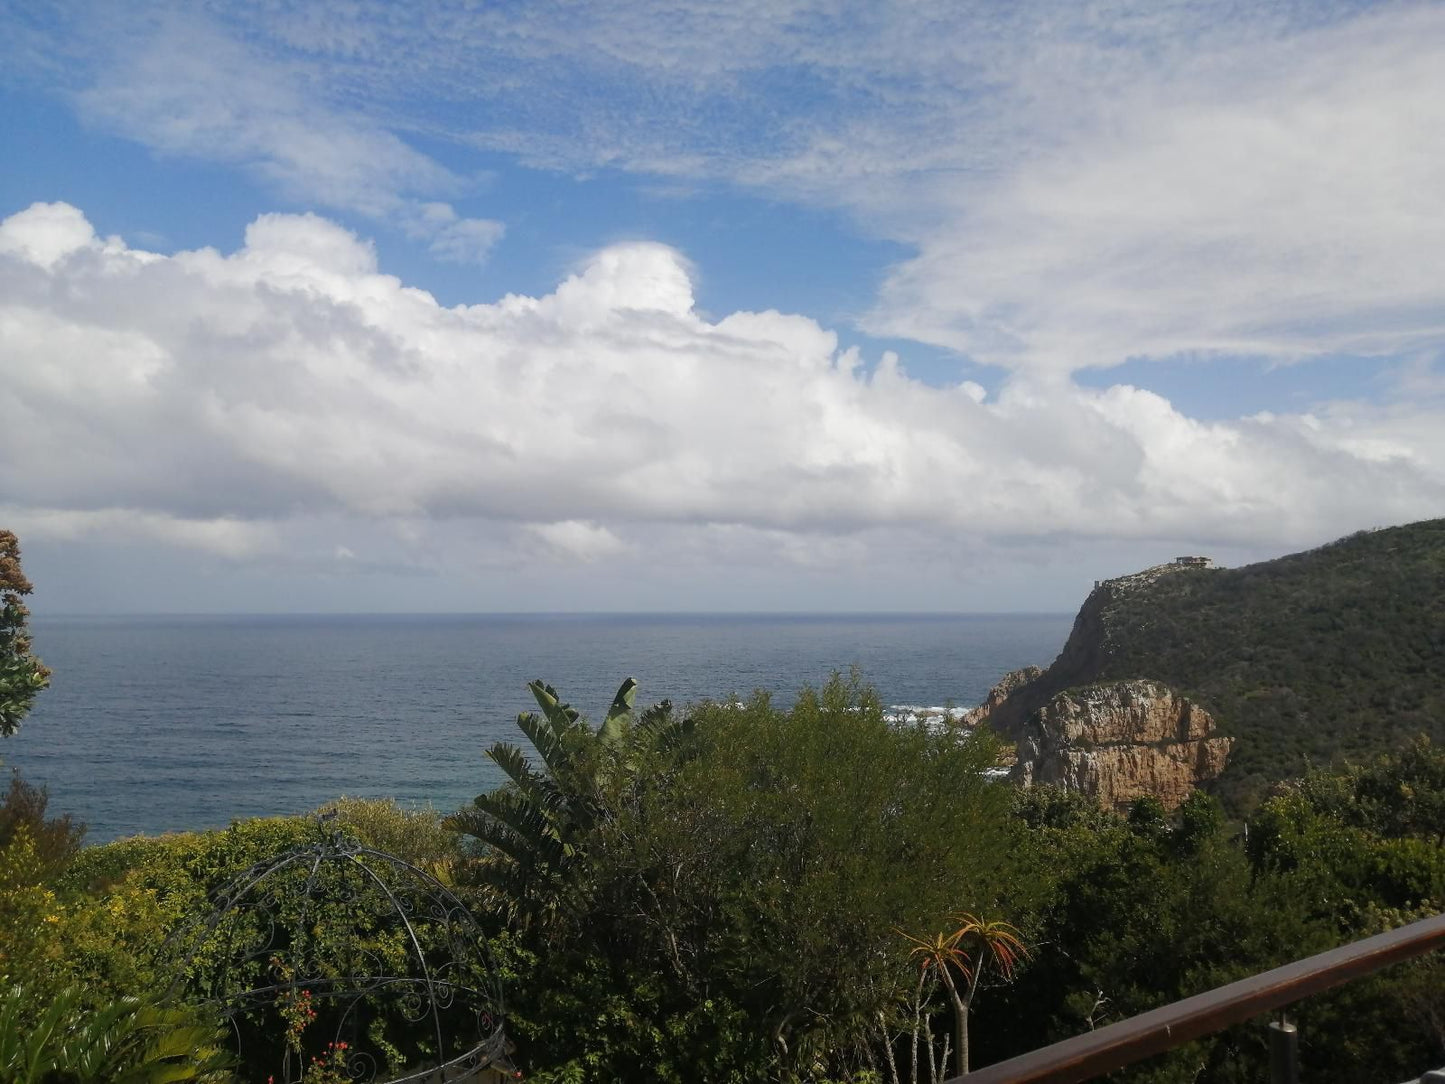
(534, 826)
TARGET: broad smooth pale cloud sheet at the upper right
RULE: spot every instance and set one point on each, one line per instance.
(1274, 203)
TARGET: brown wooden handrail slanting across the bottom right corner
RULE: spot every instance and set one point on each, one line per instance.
(1110, 1049)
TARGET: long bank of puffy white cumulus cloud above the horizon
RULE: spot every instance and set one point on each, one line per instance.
(288, 400)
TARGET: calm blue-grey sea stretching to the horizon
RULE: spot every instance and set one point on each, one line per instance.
(170, 723)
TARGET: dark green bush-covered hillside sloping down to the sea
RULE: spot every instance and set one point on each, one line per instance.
(1337, 653)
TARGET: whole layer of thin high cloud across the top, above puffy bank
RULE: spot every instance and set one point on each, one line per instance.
(1084, 183)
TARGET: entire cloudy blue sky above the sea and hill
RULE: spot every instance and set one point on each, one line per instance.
(689, 307)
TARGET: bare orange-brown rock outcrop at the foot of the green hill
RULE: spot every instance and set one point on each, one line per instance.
(1121, 741)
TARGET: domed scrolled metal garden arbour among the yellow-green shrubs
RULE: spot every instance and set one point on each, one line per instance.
(342, 963)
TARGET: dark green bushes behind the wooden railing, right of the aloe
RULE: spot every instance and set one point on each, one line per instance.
(1151, 908)
